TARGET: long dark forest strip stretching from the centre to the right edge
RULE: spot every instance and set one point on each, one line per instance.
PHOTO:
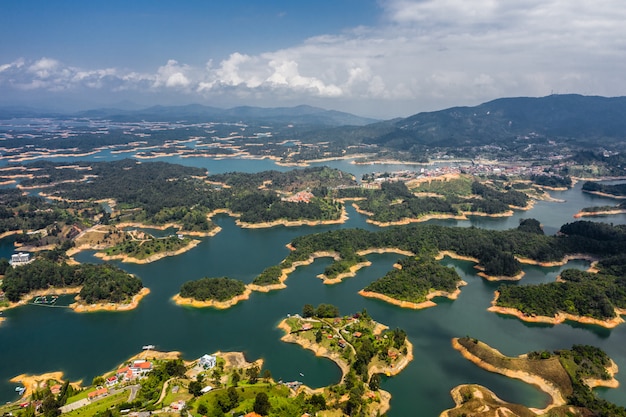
(495, 250)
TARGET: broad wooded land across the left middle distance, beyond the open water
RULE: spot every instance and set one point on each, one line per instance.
(160, 193)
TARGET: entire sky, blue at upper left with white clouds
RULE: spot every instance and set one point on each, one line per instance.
(382, 58)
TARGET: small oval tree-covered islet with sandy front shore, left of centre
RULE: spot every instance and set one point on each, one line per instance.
(218, 293)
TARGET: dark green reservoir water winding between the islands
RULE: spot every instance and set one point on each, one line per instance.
(36, 339)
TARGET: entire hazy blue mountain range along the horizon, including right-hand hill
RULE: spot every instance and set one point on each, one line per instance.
(581, 120)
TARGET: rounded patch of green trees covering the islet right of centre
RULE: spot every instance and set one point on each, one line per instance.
(416, 277)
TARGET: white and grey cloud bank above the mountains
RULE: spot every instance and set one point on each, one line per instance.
(422, 55)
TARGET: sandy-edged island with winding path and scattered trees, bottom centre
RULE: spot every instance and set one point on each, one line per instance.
(362, 348)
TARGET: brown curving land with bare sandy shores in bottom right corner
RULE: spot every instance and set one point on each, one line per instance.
(567, 376)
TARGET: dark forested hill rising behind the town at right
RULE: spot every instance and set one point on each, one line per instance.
(580, 119)
